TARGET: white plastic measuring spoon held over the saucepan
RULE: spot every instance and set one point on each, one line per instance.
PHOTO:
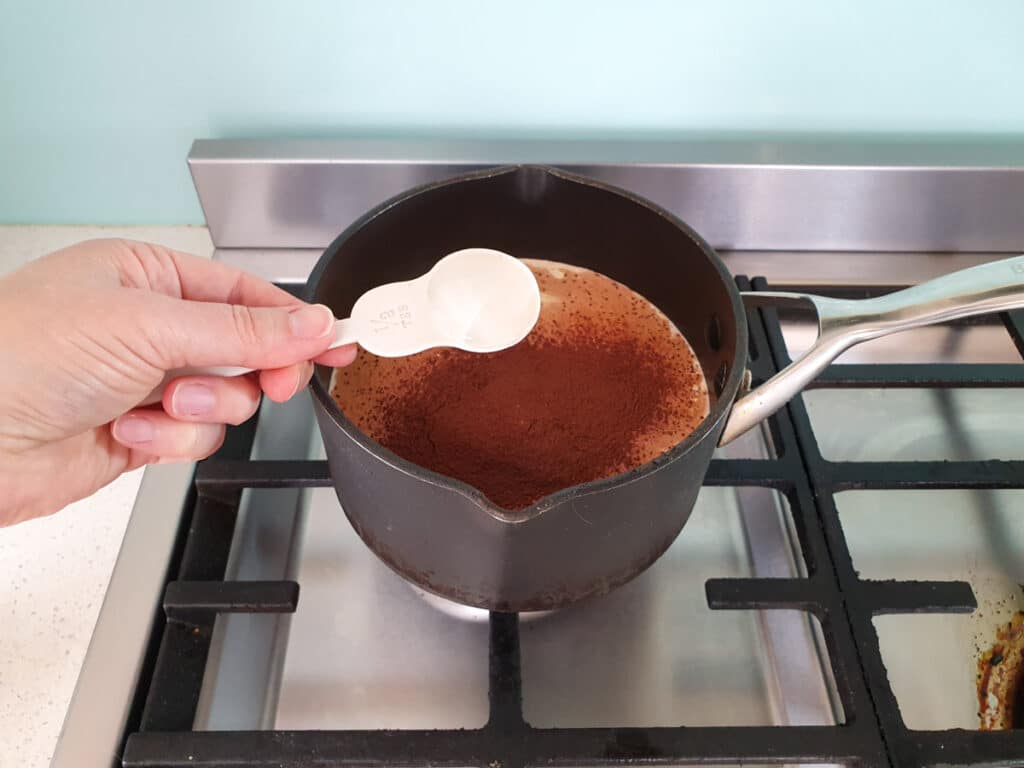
(476, 300)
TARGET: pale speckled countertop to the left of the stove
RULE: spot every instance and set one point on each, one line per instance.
(54, 573)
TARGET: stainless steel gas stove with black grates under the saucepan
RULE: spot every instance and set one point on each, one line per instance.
(827, 604)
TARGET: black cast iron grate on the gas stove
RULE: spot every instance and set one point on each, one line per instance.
(873, 734)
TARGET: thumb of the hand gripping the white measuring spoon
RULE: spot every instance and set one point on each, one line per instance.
(198, 333)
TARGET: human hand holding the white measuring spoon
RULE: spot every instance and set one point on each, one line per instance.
(90, 331)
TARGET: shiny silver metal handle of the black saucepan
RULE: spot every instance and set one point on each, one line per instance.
(996, 287)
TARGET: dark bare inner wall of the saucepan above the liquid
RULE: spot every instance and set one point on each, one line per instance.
(537, 214)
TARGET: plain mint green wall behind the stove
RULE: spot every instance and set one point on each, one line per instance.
(100, 101)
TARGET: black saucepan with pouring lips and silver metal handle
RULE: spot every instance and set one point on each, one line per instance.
(447, 537)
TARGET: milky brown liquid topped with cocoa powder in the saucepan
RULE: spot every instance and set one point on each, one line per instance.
(604, 385)
